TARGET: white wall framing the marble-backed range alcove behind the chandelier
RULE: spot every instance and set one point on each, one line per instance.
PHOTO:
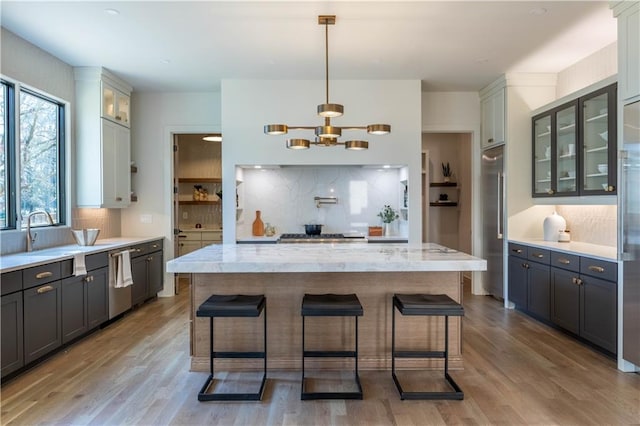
(248, 105)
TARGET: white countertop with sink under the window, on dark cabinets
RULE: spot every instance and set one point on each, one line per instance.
(15, 261)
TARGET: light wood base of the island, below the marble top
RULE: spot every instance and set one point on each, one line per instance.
(284, 292)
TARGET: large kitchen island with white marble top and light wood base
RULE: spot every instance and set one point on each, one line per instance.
(285, 272)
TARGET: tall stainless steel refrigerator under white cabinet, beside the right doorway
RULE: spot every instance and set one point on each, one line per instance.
(493, 219)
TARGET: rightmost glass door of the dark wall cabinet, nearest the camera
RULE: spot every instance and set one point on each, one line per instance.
(598, 124)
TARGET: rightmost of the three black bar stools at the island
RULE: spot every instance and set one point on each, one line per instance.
(427, 305)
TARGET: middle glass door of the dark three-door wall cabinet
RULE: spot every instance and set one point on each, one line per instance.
(565, 150)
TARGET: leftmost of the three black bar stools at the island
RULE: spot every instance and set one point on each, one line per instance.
(233, 306)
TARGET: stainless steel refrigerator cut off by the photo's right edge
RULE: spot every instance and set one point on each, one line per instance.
(629, 238)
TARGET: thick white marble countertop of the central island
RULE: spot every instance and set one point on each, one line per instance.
(353, 257)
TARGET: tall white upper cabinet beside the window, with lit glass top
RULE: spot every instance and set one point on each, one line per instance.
(103, 139)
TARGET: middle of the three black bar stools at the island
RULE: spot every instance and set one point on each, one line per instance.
(331, 305)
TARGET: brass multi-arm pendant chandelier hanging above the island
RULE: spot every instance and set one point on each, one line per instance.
(327, 135)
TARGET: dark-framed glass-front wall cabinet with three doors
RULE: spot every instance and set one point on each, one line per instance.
(574, 147)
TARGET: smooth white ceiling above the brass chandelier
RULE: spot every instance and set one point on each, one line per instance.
(191, 46)
